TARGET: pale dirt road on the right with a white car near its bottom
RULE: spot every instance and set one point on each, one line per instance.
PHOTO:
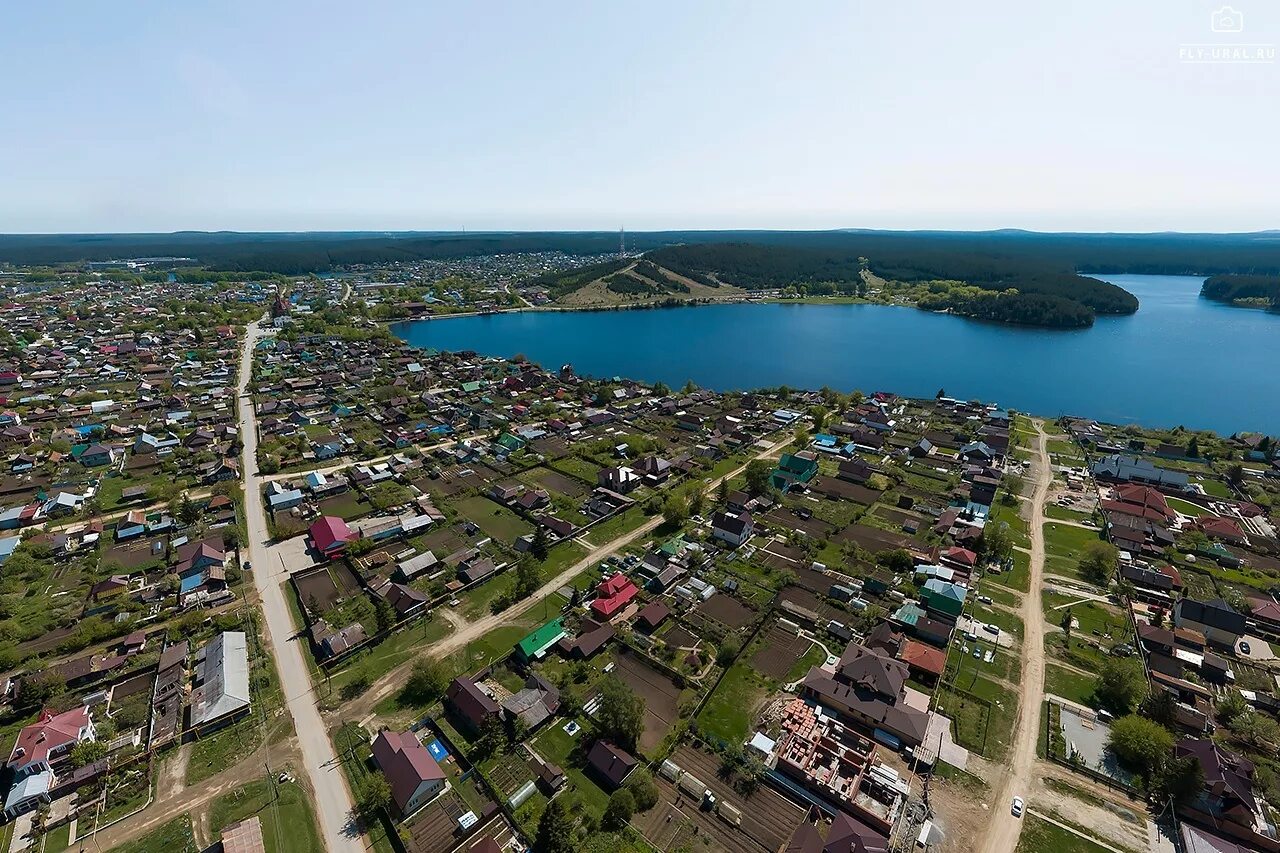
(1004, 829)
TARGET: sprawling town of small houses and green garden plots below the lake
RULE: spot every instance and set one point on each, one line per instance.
(273, 578)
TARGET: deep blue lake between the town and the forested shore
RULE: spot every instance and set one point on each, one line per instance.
(1178, 361)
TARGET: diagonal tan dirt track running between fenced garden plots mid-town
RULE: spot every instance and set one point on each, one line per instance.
(394, 681)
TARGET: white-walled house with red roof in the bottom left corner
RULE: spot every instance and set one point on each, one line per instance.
(38, 754)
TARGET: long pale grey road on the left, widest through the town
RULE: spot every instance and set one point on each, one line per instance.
(319, 761)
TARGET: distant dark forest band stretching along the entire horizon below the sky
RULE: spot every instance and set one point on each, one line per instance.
(314, 252)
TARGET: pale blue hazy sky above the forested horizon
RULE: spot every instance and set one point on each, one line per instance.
(589, 116)
